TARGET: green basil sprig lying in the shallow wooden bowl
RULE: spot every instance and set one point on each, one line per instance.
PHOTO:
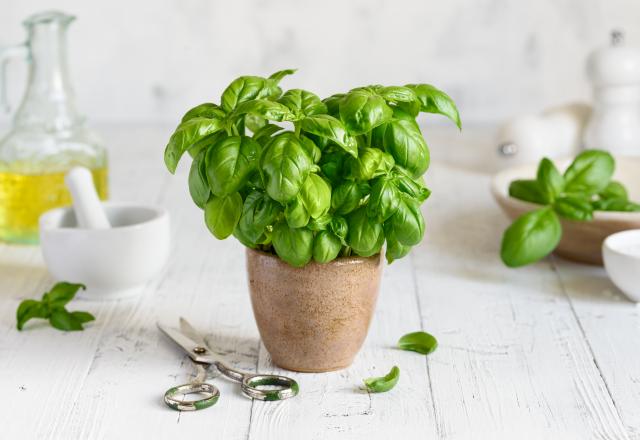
(586, 186)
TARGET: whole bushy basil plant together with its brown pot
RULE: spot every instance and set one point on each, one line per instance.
(313, 188)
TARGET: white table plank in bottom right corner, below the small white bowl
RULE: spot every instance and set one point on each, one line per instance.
(611, 324)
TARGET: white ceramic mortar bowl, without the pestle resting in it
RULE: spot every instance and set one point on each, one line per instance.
(112, 263)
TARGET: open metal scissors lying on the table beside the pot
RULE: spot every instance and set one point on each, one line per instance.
(280, 387)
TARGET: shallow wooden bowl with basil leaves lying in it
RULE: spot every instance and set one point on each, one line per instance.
(581, 241)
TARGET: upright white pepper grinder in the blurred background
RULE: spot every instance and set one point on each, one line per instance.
(614, 124)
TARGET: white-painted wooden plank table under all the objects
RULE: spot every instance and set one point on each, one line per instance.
(550, 351)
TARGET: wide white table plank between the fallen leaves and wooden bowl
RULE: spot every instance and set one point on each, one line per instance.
(513, 361)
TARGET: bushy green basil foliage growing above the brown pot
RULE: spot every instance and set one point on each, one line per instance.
(309, 178)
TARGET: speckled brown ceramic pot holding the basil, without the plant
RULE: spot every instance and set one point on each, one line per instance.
(315, 318)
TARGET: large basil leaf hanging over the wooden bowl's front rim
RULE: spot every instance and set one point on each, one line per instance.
(531, 237)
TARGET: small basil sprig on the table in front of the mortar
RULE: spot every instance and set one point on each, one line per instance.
(53, 307)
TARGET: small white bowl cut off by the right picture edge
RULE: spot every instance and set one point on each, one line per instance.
(621, 255)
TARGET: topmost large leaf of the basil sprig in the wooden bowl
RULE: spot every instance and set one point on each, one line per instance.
(589, 173)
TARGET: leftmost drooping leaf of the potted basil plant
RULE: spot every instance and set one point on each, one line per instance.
(187, 134)
